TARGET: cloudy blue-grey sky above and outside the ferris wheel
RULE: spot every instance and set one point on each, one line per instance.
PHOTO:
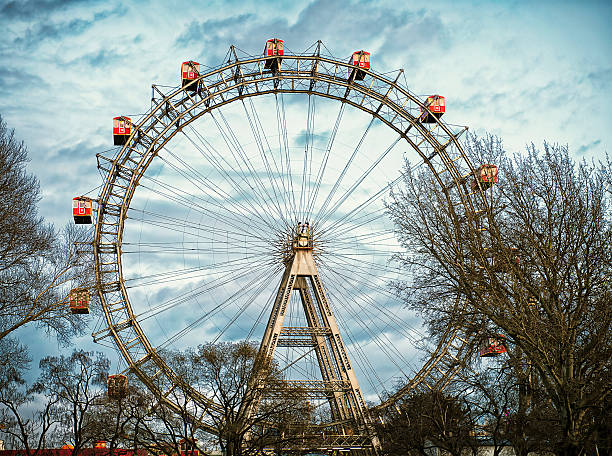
(522, 70)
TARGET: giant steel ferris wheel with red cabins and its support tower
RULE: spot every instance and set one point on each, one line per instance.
(248, 203)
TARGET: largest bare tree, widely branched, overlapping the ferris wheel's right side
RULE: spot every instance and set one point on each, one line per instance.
(533, 265)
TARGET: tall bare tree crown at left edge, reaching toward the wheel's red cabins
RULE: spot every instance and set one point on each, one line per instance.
(37, 264)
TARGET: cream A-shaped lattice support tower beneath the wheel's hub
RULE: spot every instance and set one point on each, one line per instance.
(338, 382)
